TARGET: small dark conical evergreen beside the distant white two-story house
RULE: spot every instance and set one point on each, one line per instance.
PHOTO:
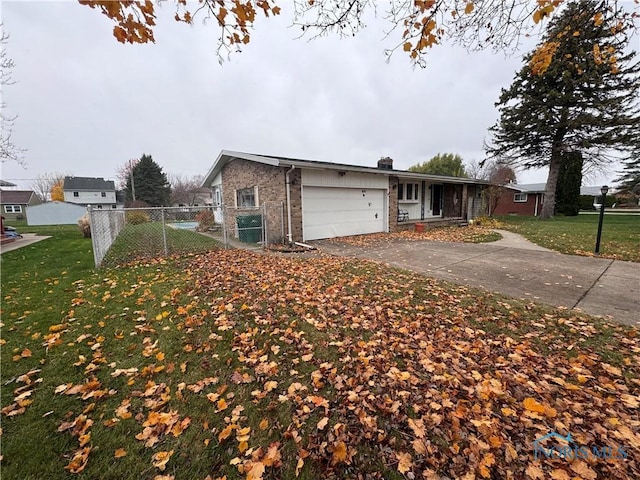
(150, 184)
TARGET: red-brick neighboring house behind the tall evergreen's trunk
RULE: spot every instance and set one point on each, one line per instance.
(527, 199)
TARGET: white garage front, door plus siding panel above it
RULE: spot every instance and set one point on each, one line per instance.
(338, 205)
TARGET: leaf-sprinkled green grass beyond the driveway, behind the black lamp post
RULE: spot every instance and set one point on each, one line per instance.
(577, 235)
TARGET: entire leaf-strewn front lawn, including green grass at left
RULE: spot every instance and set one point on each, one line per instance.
(231, 365)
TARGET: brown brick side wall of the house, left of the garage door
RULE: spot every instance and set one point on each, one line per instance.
(270, 180)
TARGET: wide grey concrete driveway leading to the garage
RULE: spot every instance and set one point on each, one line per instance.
(517, 268)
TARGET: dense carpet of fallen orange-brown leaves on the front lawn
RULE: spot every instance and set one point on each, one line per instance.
(346, 368)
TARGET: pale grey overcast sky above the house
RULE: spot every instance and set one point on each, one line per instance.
(87, 103)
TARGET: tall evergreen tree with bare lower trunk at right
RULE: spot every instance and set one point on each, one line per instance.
(577, 92)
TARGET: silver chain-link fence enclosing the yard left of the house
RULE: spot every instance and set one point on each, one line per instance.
(123, 235)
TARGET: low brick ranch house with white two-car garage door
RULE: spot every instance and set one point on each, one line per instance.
(317, 200)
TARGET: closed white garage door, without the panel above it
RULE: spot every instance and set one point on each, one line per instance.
(337, 212)
